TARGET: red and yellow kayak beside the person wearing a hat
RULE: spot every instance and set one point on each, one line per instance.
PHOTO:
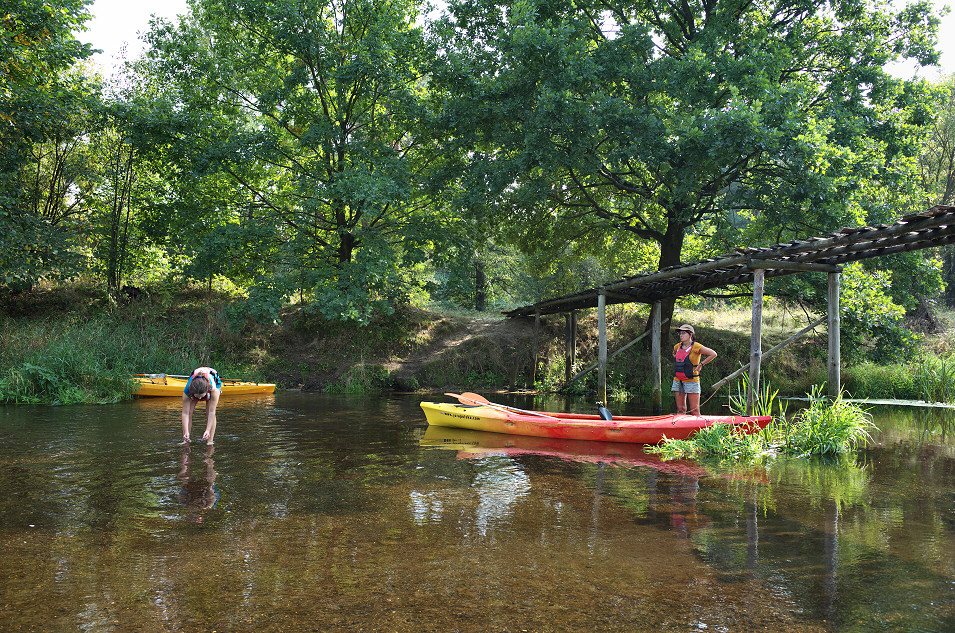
(575, 426)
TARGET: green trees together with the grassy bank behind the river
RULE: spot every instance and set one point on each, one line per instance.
(316, 192)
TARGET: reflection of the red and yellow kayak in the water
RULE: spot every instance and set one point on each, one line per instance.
(473, 444)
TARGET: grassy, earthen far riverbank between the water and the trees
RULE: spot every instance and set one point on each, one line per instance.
(78, 345)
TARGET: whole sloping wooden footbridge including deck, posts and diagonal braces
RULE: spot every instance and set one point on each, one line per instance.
(935, 227)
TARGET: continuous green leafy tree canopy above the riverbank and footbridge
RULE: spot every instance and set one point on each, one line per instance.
(352, 154)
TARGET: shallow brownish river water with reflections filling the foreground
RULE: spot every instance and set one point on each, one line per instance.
(321, 513)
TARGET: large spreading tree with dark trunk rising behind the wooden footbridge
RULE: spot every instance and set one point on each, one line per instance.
(658, 119)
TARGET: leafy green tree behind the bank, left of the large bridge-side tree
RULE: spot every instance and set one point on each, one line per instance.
(314, 110)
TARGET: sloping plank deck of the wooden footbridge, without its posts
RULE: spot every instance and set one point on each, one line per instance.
(935, 227)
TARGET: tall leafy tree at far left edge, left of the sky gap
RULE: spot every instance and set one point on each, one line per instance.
(39, 102)
